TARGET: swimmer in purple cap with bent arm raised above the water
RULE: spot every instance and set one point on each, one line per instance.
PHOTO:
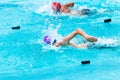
(66, 40)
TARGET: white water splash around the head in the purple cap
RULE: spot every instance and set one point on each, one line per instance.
(53, 33)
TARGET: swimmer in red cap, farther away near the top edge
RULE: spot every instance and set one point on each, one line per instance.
(65, 8)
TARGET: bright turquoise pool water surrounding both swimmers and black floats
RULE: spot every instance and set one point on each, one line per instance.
(24, 55)
